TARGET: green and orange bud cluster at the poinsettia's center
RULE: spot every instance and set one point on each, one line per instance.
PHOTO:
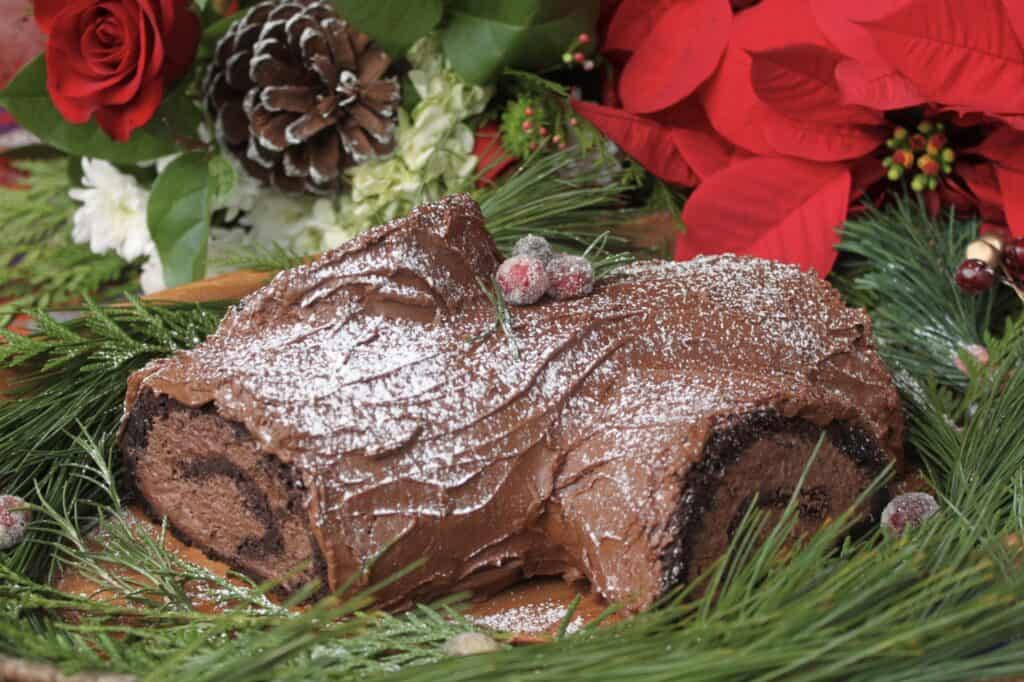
(927, 150)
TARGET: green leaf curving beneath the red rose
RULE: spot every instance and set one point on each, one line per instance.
(27, 100)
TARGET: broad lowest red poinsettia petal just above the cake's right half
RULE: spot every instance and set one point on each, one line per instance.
(784, 209)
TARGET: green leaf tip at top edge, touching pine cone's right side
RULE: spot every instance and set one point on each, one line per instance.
(396, 25)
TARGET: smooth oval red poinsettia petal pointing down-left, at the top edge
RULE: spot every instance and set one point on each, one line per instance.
(677, 57)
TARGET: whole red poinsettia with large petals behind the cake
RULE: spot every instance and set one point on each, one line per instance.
(778, 114)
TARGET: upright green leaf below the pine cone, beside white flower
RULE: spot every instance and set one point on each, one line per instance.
(179, 216)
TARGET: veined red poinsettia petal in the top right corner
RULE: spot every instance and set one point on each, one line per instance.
(960, 53)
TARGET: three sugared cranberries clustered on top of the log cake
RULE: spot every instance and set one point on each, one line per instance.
(535, 270)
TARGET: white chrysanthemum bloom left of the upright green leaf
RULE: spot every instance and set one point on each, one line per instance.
(113, 214)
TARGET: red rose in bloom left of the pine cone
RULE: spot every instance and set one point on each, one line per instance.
(113, 59)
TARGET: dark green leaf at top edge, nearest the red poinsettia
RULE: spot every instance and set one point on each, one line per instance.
(482, 39)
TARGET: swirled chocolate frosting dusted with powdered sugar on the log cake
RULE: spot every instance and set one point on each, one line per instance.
(418, 436)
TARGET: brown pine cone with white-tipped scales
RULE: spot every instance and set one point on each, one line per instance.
(300, 96)
